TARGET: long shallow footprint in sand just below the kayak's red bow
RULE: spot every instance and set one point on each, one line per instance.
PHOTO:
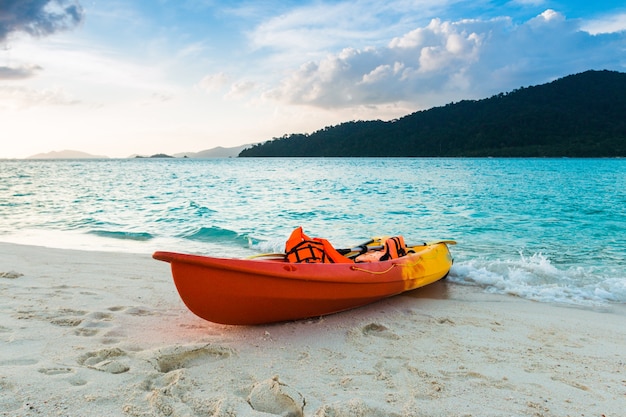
(178, 357)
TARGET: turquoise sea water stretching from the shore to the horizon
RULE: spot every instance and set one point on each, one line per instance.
(551, 230)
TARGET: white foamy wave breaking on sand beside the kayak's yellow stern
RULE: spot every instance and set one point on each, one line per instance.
(536, 278)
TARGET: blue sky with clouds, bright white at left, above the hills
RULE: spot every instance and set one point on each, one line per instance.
(125, 77)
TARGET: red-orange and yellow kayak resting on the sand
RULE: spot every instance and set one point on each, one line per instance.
(267, 290)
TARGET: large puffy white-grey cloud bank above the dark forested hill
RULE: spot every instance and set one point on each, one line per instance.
(452, 60)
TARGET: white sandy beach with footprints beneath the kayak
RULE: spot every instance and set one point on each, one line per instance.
(105, 334)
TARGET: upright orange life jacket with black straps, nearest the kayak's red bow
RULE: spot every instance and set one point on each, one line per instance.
(302, 249)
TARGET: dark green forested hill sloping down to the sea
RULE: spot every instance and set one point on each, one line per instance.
(582, 115)
